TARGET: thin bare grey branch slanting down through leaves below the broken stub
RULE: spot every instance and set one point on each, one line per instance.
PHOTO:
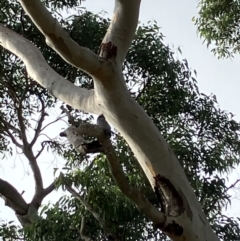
(88, 207)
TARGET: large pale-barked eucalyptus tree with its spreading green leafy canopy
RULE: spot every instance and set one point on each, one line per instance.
(146, 95)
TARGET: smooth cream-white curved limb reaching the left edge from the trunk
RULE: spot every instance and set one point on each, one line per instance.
(39, 70)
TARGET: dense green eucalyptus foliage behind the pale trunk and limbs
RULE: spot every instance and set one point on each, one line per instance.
(204, 138)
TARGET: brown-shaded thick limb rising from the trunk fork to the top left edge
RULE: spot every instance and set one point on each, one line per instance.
(58, 39)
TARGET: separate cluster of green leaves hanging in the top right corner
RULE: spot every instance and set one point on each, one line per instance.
(218, 24)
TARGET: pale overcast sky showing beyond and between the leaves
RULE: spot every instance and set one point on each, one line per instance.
(220, 77)
